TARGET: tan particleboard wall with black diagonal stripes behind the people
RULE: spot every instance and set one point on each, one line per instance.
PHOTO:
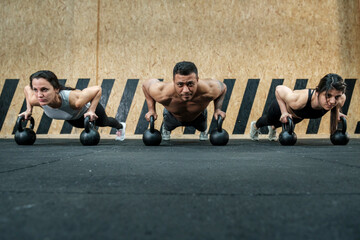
(252, 46)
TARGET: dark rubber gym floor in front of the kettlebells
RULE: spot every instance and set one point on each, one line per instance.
(182, 189)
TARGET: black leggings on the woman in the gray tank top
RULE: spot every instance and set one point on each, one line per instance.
(102, 121)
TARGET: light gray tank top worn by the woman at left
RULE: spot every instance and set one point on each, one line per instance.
(65, 112)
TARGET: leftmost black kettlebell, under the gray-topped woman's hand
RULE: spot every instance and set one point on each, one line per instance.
(25, 136)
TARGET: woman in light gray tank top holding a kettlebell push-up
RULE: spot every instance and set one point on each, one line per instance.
(65, 103)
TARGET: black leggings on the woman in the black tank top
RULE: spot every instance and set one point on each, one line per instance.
(272, 117)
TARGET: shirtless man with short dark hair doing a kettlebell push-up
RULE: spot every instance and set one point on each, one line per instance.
(185, 99)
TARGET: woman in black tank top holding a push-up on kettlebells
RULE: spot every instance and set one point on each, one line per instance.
(301, 104)
